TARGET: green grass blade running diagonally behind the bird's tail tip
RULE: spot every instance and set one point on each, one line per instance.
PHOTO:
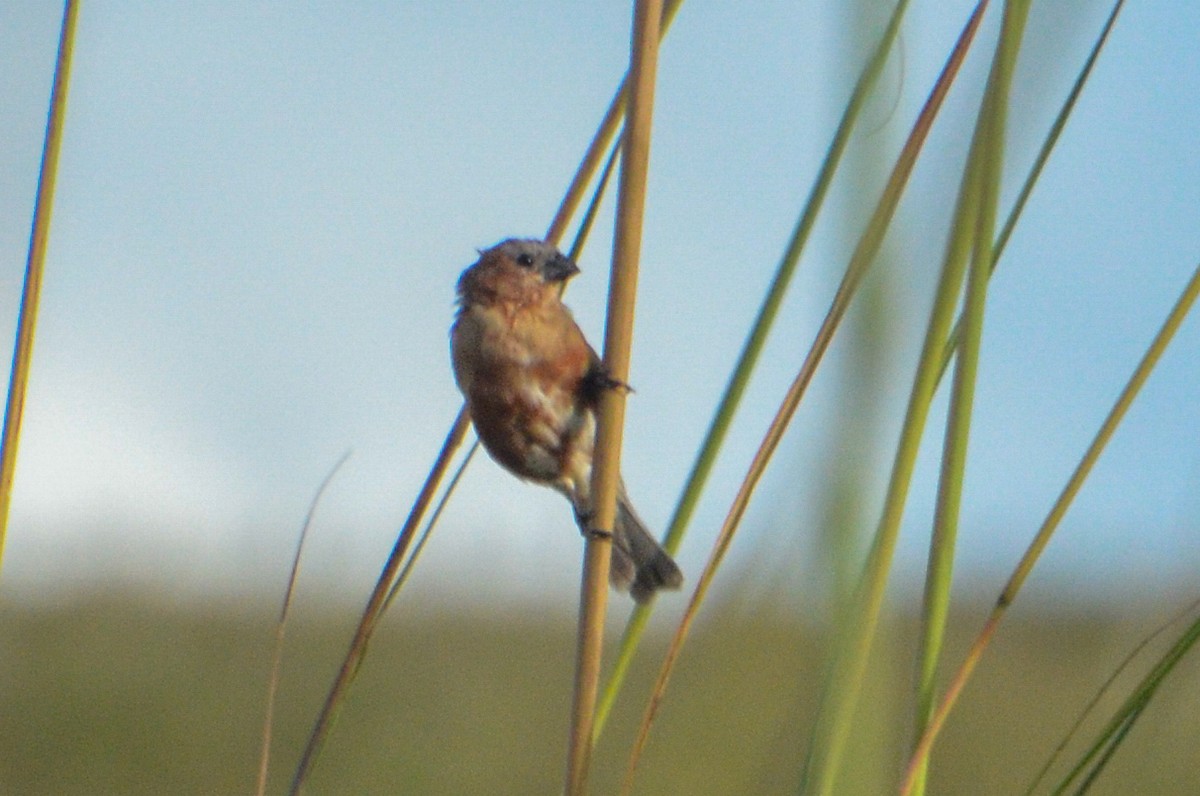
(749, 357)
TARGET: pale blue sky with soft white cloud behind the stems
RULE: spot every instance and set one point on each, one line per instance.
(262, 211)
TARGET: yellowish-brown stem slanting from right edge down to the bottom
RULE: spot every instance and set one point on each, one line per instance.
(1171, 326)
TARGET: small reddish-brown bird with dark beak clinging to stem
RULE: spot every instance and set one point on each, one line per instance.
(532, 386)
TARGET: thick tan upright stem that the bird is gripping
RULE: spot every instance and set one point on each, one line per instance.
(611, 411)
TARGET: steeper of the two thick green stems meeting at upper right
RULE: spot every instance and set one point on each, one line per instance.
(979, 229)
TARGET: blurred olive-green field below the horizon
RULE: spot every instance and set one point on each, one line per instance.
(131, 695)
